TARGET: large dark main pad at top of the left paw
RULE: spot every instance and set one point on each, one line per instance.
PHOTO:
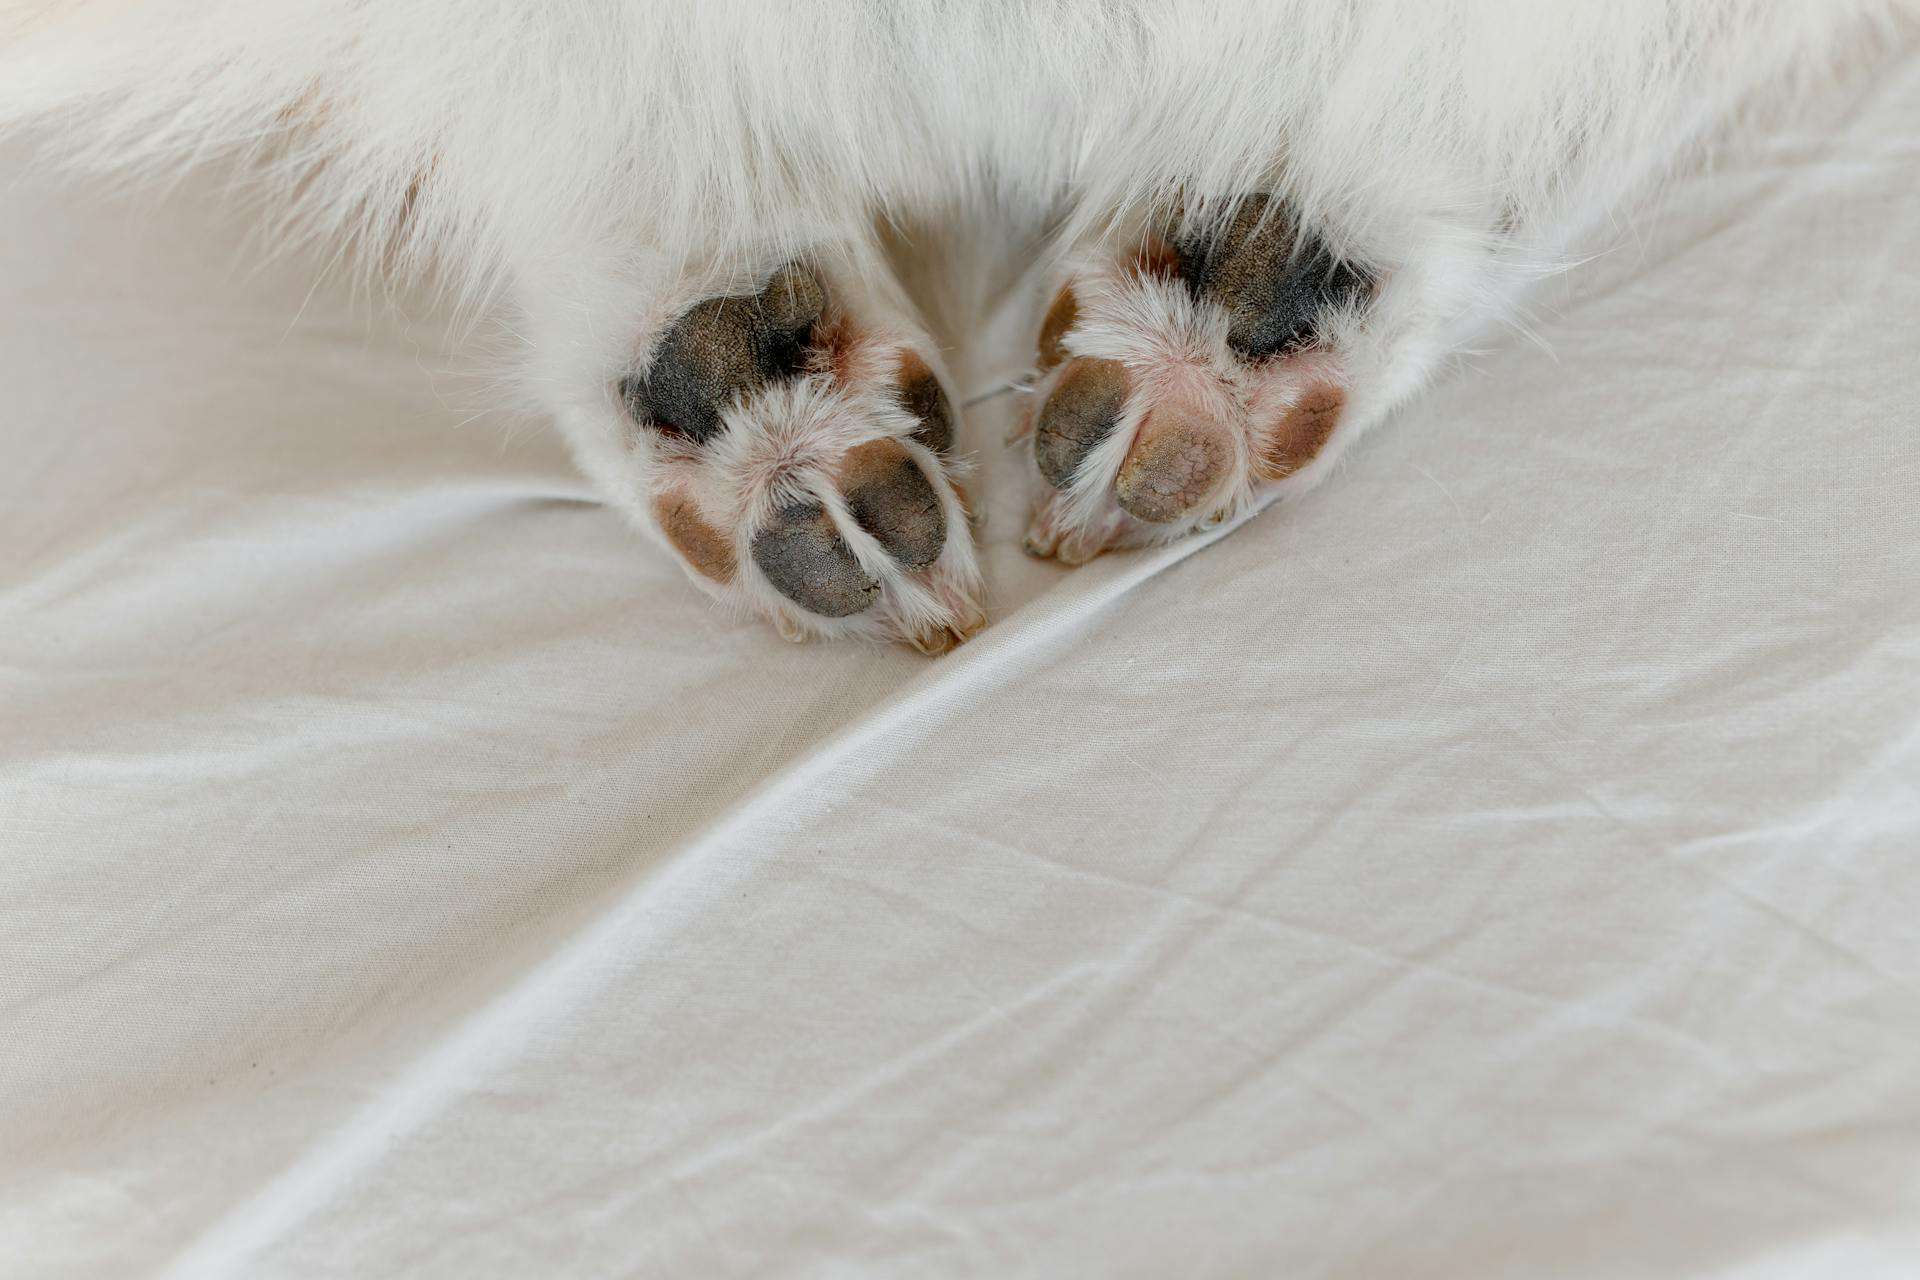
(725, 348)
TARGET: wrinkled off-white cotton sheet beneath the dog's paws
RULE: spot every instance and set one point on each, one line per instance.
(1502, 863)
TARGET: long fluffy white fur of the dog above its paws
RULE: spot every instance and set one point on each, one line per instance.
(612, 160)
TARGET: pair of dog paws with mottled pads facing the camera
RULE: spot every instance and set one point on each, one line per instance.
(800, 439)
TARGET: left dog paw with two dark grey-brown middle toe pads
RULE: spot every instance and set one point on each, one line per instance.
(802, 465)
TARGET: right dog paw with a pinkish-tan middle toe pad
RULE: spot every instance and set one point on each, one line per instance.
(1186, 369)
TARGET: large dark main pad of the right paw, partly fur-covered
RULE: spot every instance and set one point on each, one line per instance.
(1270, 275)
